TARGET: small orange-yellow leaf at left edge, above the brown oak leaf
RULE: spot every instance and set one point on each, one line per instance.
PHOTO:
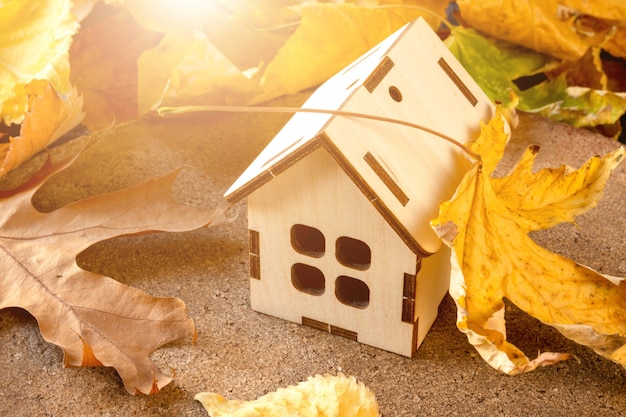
(47, 118)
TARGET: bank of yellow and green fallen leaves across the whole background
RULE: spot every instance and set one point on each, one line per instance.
(130, 57)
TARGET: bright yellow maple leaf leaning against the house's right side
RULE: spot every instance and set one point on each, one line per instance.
(486, 225)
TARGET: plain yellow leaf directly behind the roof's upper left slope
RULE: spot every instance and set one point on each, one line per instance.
(329, 37)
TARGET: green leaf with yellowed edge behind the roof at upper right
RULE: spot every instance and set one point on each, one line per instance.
(496, 64)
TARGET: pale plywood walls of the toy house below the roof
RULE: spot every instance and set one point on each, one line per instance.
(316, 193)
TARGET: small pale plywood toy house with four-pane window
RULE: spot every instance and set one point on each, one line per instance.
(339, 207)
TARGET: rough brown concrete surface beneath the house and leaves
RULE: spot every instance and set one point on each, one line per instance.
(243, 354)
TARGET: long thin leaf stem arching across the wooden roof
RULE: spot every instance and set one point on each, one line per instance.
(173, 111)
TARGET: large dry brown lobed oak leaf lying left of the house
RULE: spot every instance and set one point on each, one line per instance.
(96, 320)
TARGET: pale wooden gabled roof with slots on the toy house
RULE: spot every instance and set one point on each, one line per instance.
(403, 171)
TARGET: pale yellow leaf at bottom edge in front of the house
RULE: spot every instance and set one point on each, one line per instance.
(318, 396)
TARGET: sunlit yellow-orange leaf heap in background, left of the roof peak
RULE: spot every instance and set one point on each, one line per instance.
(118, 60)
